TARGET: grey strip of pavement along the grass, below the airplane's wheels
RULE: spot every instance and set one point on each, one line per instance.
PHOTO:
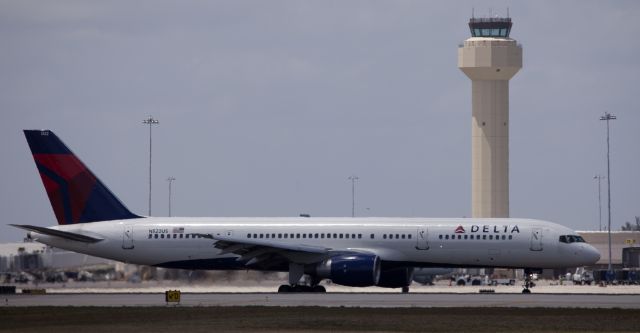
(370, 300)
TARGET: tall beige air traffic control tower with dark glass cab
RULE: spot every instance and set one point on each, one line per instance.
(490, 59)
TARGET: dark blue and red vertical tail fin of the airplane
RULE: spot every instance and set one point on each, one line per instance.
(75, 193)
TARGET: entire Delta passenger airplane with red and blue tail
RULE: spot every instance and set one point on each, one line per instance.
(358, 252)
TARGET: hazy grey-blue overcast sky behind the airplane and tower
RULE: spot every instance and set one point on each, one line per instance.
(267, 107)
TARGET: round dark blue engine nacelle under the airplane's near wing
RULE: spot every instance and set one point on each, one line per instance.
(352, 270)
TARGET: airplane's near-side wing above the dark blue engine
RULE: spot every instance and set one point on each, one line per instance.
(267, 253)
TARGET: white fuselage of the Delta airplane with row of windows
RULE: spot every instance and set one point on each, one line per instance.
(417, 242)
